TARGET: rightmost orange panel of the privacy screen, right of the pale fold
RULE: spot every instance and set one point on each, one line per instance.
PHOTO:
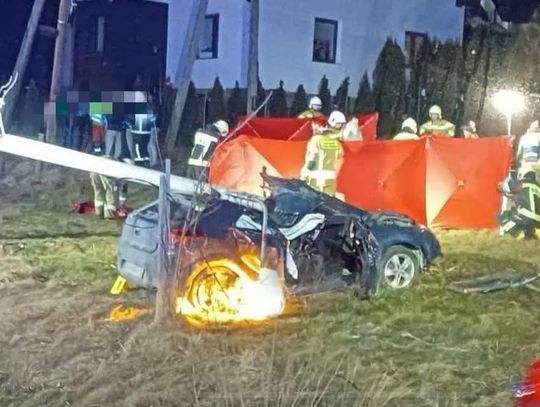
(462, 181)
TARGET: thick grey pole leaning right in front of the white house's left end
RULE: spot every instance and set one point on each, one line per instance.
(185, 66)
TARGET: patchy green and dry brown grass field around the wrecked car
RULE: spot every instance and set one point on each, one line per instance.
(424, 346)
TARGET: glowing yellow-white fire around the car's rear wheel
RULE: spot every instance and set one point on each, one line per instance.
(224, 291)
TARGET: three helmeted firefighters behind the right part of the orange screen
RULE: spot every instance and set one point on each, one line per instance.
(436, 125)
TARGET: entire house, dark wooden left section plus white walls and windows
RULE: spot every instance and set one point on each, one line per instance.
(299, 40)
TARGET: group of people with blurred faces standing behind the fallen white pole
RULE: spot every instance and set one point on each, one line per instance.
(123, 134)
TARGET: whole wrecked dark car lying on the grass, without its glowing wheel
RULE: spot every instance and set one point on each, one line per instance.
(325, 243)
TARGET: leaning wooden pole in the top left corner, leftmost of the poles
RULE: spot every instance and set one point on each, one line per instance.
(23, 58)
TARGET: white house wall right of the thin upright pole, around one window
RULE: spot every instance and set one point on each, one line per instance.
(287, 28)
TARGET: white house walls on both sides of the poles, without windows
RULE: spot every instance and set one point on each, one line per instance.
(286, 37)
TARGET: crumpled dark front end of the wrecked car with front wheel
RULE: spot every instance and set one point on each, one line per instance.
(405, 247)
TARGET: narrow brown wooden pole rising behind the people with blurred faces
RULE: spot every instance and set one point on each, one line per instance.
(56, 80)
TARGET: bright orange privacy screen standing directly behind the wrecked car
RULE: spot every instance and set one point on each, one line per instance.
(441, 182)
